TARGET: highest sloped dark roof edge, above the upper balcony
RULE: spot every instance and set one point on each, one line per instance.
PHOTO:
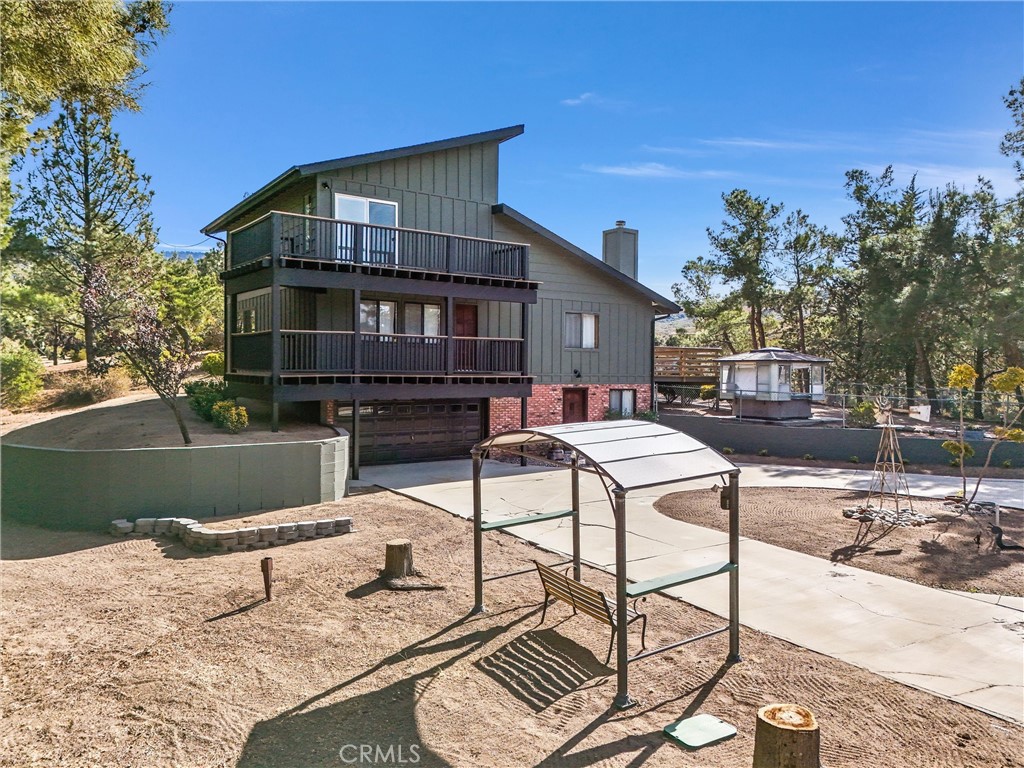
(296, 173)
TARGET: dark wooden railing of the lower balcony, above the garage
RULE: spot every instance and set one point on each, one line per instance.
(338, 353)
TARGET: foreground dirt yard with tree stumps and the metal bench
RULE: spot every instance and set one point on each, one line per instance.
(139, 653)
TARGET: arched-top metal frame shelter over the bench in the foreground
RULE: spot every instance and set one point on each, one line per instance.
(626, 456)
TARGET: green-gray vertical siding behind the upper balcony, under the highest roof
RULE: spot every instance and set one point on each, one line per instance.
(446, 192)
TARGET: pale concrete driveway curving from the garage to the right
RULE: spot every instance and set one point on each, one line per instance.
(968, 649)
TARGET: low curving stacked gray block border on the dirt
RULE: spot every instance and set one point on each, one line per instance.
(201, 539)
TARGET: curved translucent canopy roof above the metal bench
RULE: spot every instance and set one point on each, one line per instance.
(631, 454)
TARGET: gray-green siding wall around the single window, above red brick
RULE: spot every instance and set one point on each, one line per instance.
(568, 285)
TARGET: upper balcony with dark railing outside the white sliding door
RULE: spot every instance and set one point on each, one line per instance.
(295, 240)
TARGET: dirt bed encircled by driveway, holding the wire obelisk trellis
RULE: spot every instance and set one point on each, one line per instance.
(944, 554)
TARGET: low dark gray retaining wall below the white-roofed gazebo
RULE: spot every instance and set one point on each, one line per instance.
(833, 445)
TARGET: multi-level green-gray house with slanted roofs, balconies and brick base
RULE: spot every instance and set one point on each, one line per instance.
(393, 295)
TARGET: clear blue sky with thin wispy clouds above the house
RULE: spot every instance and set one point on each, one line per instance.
(642, 112)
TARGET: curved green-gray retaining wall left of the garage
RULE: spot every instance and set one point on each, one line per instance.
(83, 490)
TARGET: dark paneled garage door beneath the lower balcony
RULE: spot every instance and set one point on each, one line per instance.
(396, 432)
